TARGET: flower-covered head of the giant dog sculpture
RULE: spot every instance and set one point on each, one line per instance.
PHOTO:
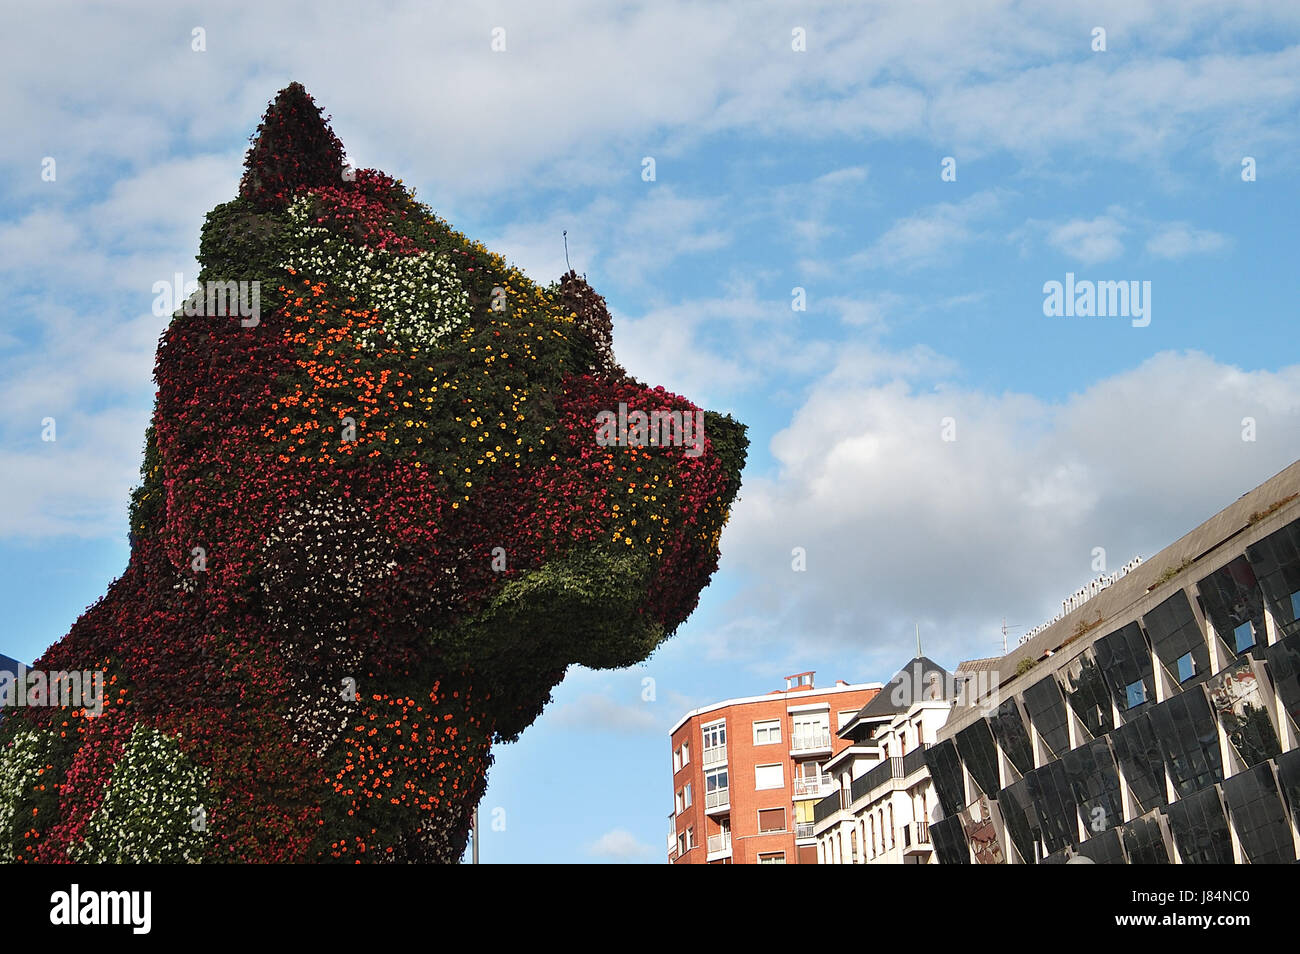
(398, 452)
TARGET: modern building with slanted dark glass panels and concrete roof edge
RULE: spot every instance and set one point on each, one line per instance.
(1154, 723)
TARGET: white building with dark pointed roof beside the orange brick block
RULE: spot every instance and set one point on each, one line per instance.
(883, 800)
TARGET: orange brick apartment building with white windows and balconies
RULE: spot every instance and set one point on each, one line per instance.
(747, 773)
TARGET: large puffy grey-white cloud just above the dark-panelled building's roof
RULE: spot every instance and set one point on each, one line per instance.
(902, 526)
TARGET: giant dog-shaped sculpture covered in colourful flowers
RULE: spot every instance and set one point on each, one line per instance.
(375, 527)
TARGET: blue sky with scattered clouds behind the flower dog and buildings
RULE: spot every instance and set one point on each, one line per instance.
(774, 170)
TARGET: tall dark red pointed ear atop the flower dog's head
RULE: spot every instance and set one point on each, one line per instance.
(293, 149)
